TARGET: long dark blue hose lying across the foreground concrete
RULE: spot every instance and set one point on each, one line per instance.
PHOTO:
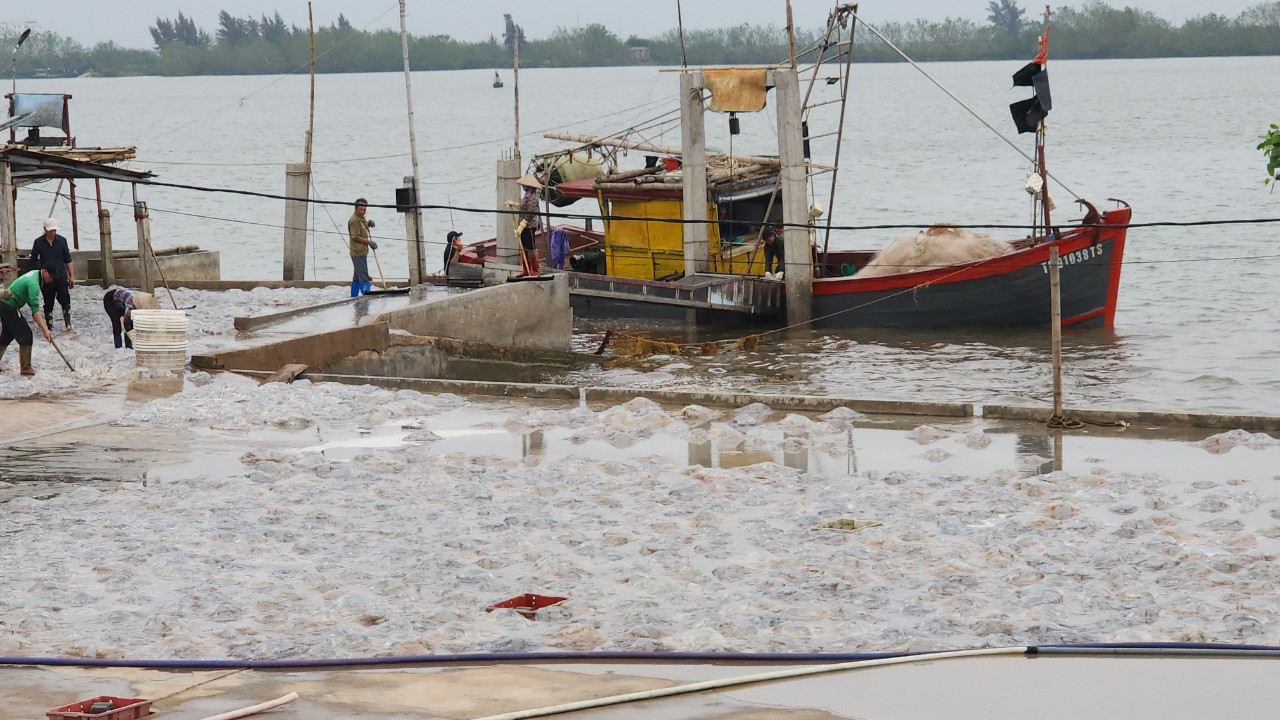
(1146, 649)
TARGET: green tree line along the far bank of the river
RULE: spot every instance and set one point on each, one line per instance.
(268, 45)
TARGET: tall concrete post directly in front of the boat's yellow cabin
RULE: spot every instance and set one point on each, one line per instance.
(693, 147)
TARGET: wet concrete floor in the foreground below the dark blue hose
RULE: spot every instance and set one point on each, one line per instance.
(964, 689)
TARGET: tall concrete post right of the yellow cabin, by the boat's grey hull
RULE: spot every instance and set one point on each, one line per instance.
(796, 206)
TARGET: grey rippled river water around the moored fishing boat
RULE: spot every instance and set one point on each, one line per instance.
(1177, 139)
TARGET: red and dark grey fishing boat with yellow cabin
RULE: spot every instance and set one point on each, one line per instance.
(636, 266)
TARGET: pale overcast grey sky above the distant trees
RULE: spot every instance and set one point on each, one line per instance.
(126, 22)
